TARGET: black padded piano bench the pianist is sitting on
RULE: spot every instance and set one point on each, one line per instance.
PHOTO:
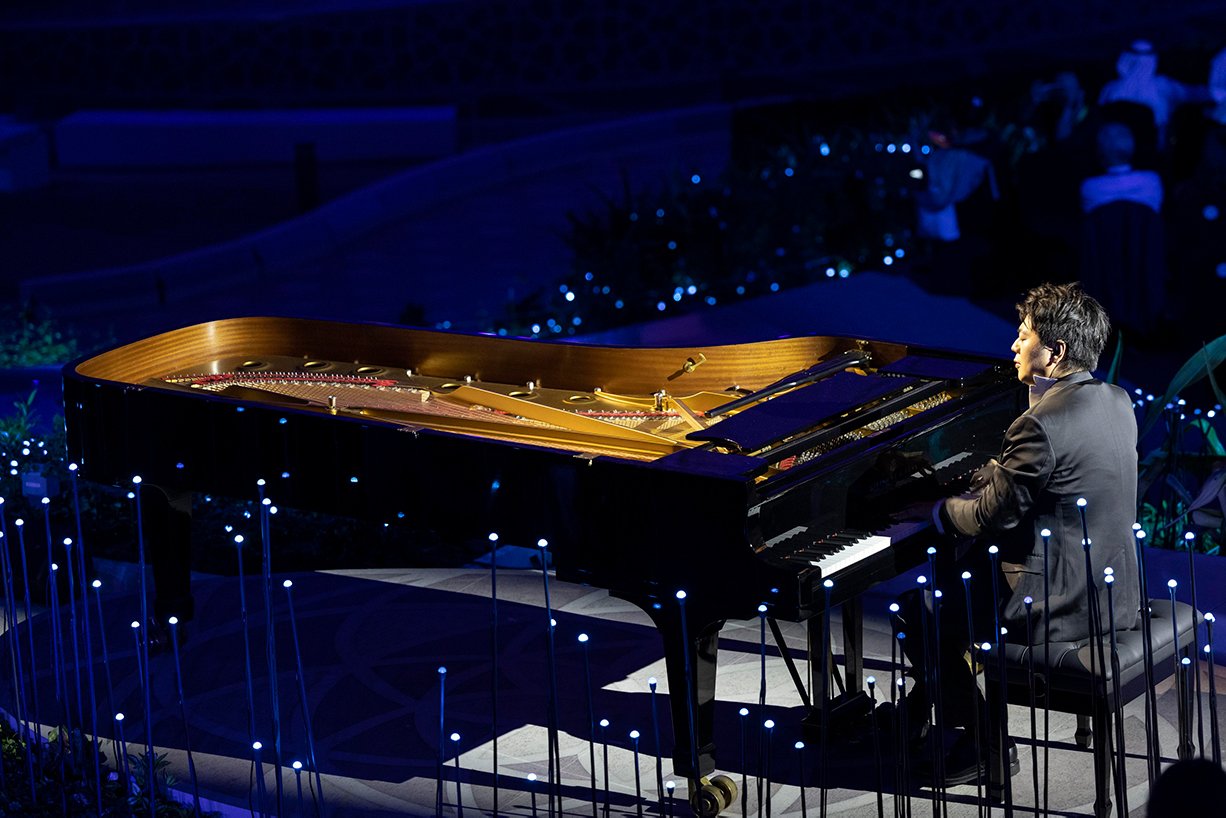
(1065, 685)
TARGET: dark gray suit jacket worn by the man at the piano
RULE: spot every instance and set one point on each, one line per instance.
(1078, 441)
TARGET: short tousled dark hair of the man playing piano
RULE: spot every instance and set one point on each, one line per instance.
(1066, 313)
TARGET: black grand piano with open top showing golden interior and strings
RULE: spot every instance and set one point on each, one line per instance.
(744, 475)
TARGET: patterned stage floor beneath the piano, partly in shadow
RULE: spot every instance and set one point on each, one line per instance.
(372, 644)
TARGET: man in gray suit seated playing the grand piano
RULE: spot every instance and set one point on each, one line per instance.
(1077, 440)
